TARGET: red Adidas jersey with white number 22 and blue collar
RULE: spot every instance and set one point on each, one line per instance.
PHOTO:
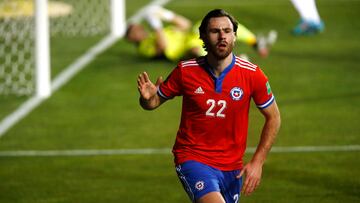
(214, 120)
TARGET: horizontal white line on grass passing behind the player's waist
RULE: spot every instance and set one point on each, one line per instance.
(150, 151)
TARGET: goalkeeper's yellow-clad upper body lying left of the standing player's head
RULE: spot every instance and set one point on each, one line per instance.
(174, 41)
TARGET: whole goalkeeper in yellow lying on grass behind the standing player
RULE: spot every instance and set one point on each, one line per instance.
(175, 38)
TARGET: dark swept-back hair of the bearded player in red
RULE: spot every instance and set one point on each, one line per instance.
(214, 14)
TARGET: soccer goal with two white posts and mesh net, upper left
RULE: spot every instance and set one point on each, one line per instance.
(25, 30)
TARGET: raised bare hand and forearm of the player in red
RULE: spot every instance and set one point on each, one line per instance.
(149, 99)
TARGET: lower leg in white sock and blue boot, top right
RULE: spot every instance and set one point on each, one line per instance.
(310, 22)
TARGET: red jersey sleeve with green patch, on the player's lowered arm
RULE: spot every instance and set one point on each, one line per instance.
(262, 94)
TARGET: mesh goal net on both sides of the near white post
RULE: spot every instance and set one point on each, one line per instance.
(67, 18)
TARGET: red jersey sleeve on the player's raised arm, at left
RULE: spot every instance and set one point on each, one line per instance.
(171, 87)
